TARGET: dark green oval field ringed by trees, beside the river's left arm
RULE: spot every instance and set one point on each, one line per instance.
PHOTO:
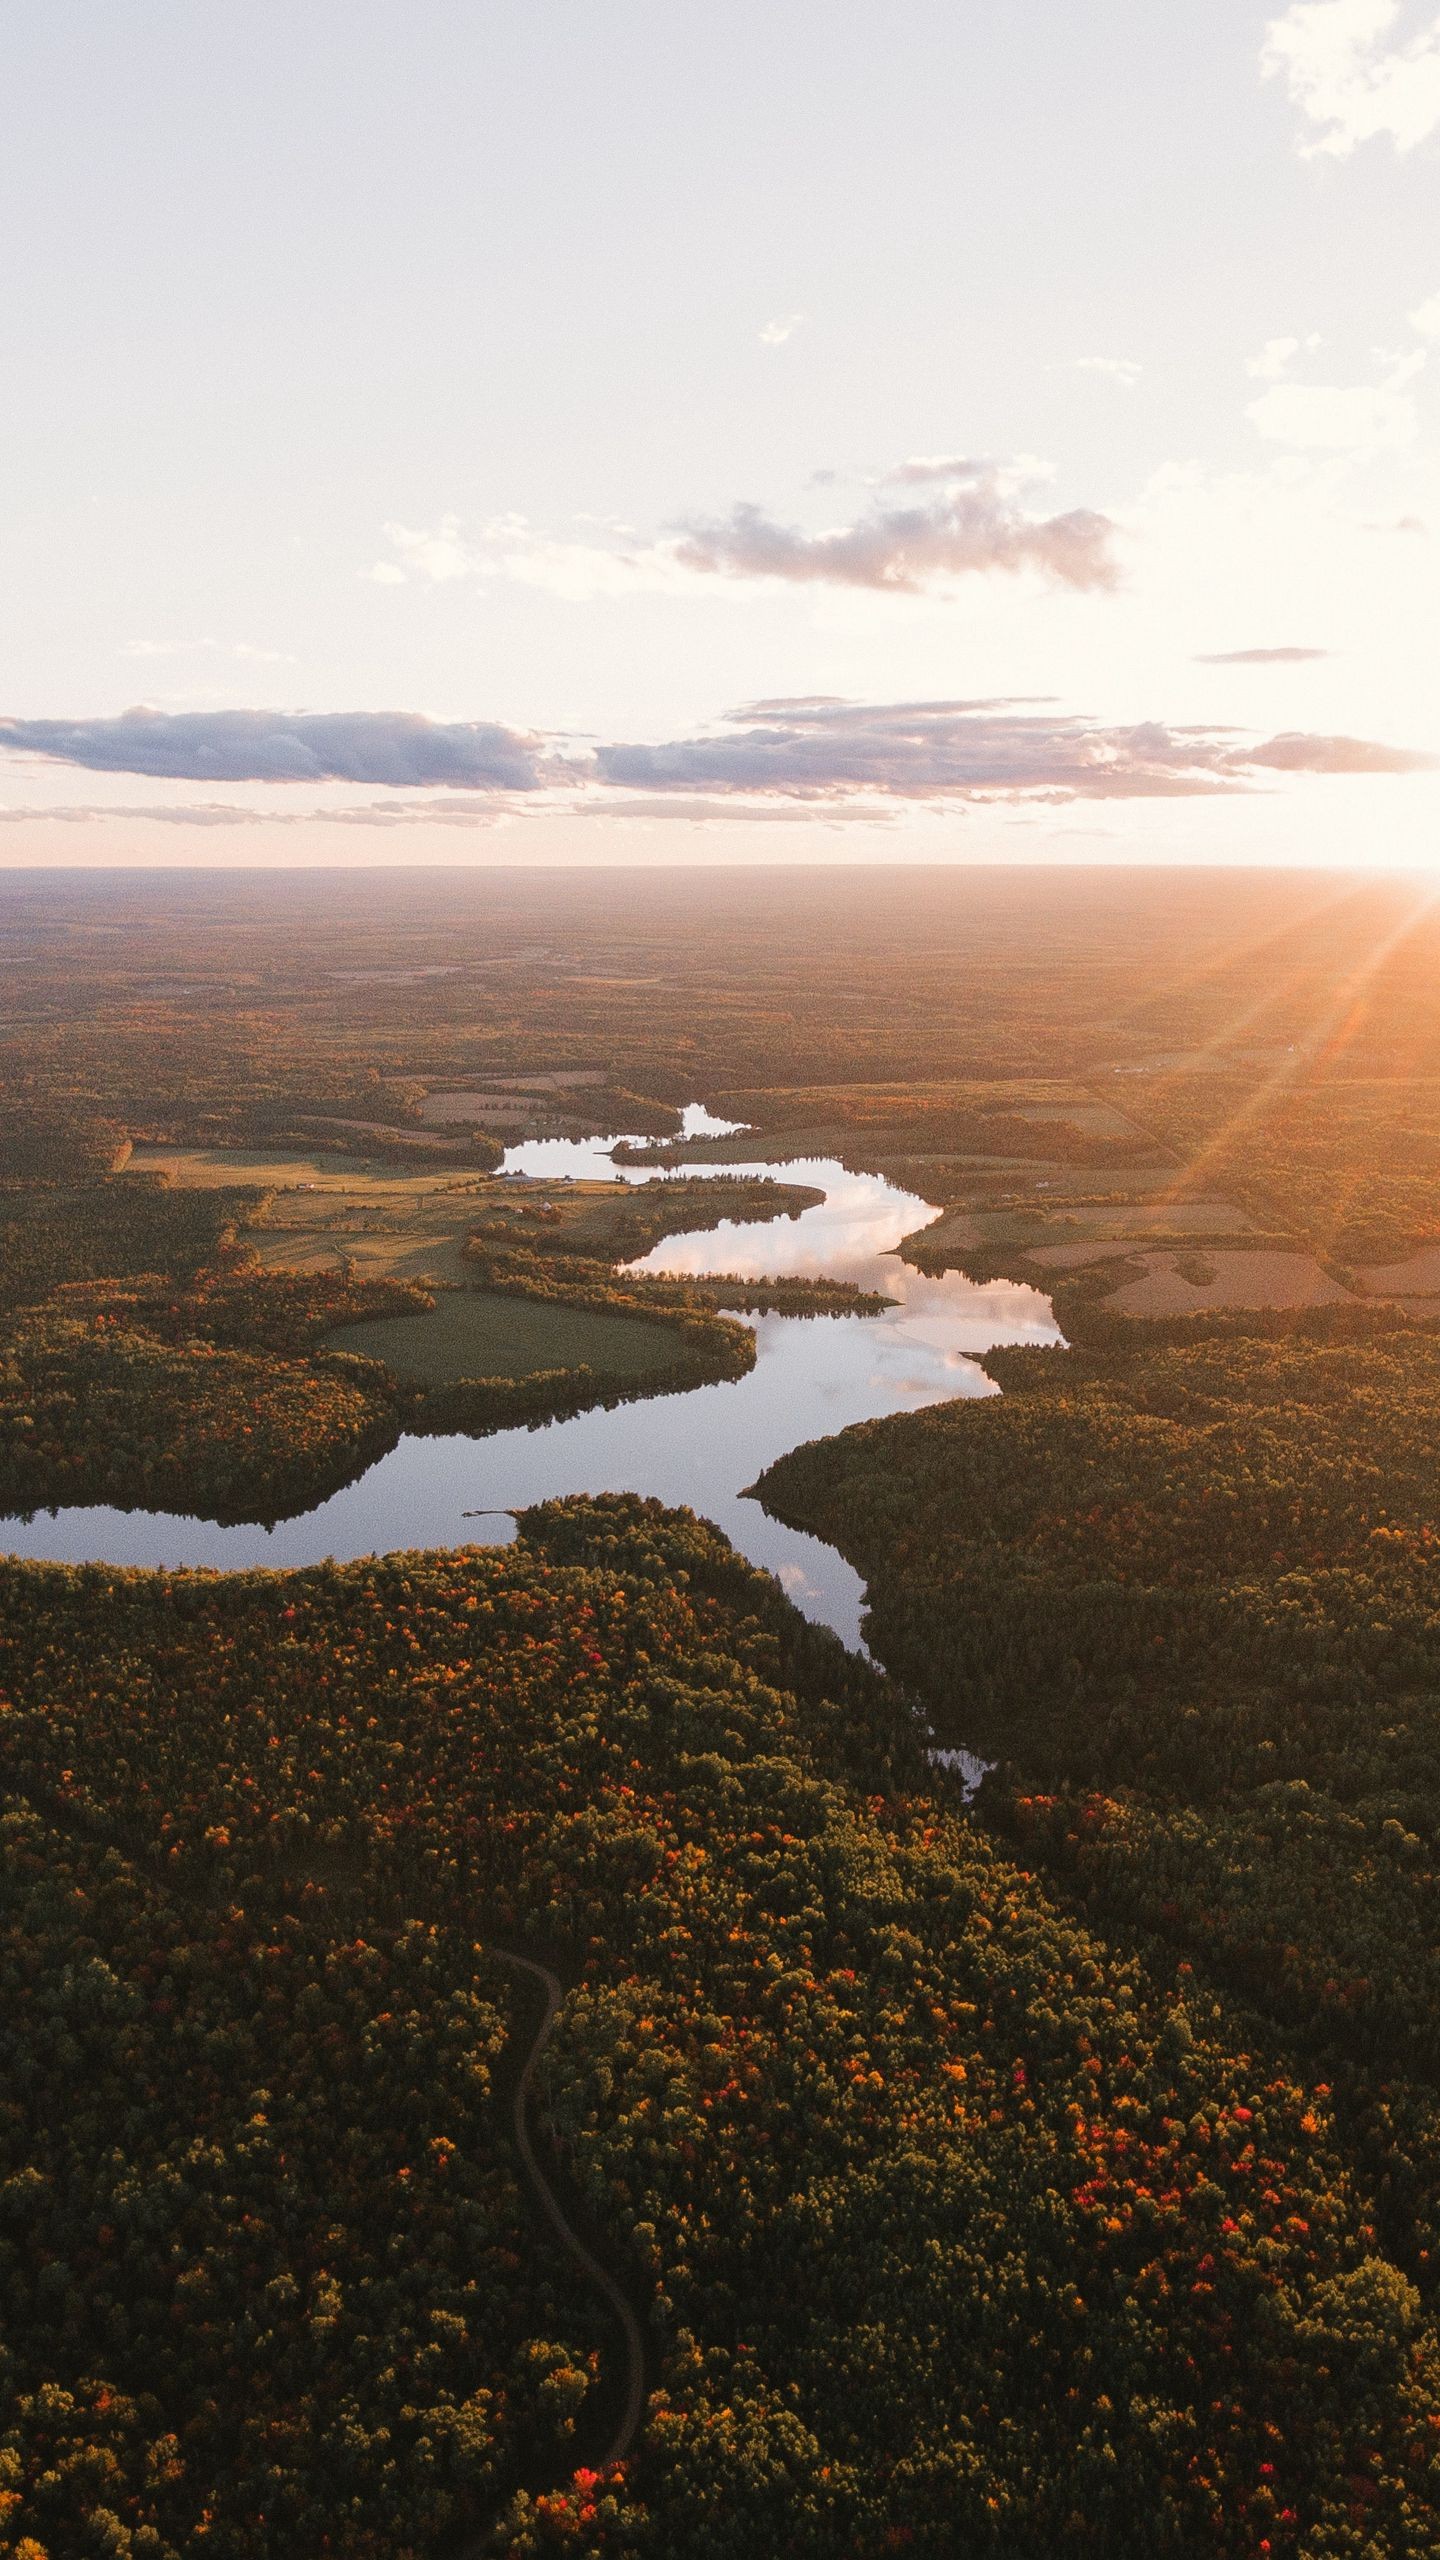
(486, 1335)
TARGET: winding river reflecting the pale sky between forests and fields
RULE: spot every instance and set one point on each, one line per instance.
(814, 1376)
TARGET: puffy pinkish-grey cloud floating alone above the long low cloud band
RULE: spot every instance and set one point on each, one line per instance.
(970, 526)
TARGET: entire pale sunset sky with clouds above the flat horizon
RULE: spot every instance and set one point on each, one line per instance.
(603, 431)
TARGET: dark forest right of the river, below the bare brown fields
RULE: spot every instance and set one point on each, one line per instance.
(1188, 1594)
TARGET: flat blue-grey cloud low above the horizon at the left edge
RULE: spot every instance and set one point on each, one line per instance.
(393, 749)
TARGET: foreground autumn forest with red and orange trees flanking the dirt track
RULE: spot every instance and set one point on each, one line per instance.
(954, 2223)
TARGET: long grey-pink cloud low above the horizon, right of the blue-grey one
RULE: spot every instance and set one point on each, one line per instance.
(816, 749)
